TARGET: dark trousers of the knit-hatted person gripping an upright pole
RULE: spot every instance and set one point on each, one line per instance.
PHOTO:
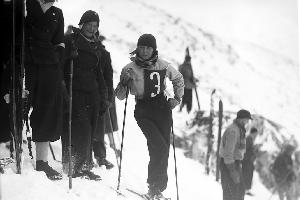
(84, 121)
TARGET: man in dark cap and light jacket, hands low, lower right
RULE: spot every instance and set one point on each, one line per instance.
(232, 149)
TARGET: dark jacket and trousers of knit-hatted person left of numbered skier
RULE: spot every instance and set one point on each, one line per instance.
(89, 97)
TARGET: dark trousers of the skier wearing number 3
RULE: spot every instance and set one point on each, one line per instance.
(154, 117)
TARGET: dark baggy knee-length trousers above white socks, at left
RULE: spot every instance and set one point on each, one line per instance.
(45, 93)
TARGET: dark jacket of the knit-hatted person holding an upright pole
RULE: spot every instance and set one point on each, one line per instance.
(87, 75)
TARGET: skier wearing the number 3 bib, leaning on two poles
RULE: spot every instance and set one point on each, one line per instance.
(145, 77)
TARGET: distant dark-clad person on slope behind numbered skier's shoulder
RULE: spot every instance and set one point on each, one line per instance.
(189, 82)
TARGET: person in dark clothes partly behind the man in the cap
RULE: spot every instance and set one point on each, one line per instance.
(248, 161)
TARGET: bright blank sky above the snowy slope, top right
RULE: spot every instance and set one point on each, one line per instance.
(260, 22)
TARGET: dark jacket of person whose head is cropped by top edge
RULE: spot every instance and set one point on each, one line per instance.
(43, 32)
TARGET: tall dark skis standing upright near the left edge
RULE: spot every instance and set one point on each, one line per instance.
(17, 81)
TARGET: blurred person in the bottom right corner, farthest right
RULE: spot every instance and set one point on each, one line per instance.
(284, 174)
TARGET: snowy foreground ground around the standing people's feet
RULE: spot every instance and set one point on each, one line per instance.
(193, 183)
